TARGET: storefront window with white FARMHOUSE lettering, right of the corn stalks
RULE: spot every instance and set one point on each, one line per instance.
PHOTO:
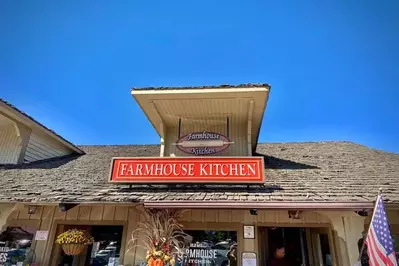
(211, 248)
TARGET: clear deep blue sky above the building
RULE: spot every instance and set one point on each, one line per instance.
(333, 65)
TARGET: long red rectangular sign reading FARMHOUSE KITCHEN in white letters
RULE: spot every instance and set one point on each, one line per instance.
(240, 170)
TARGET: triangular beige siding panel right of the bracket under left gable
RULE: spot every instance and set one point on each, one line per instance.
(40, 148)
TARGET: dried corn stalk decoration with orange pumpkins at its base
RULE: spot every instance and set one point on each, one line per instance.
(161, 235)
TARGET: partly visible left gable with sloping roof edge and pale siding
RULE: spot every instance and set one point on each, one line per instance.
(24, 140)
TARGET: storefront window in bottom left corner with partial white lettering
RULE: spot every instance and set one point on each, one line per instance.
(15, 244)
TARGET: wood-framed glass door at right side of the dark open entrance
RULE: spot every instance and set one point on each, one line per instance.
(321, 244)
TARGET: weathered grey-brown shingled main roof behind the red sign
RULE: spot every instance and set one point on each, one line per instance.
(311, 171)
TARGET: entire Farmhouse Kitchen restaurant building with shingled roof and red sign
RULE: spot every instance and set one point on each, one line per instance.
(313, 198)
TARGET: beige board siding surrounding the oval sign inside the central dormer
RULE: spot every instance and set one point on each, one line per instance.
(191, 122)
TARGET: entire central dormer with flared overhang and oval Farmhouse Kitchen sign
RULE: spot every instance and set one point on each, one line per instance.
(211, 120)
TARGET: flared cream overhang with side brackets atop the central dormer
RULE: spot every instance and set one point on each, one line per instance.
(167, 107)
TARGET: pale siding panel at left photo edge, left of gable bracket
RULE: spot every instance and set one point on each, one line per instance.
(9, 145)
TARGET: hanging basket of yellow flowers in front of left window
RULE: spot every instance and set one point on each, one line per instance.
(74, 241)
